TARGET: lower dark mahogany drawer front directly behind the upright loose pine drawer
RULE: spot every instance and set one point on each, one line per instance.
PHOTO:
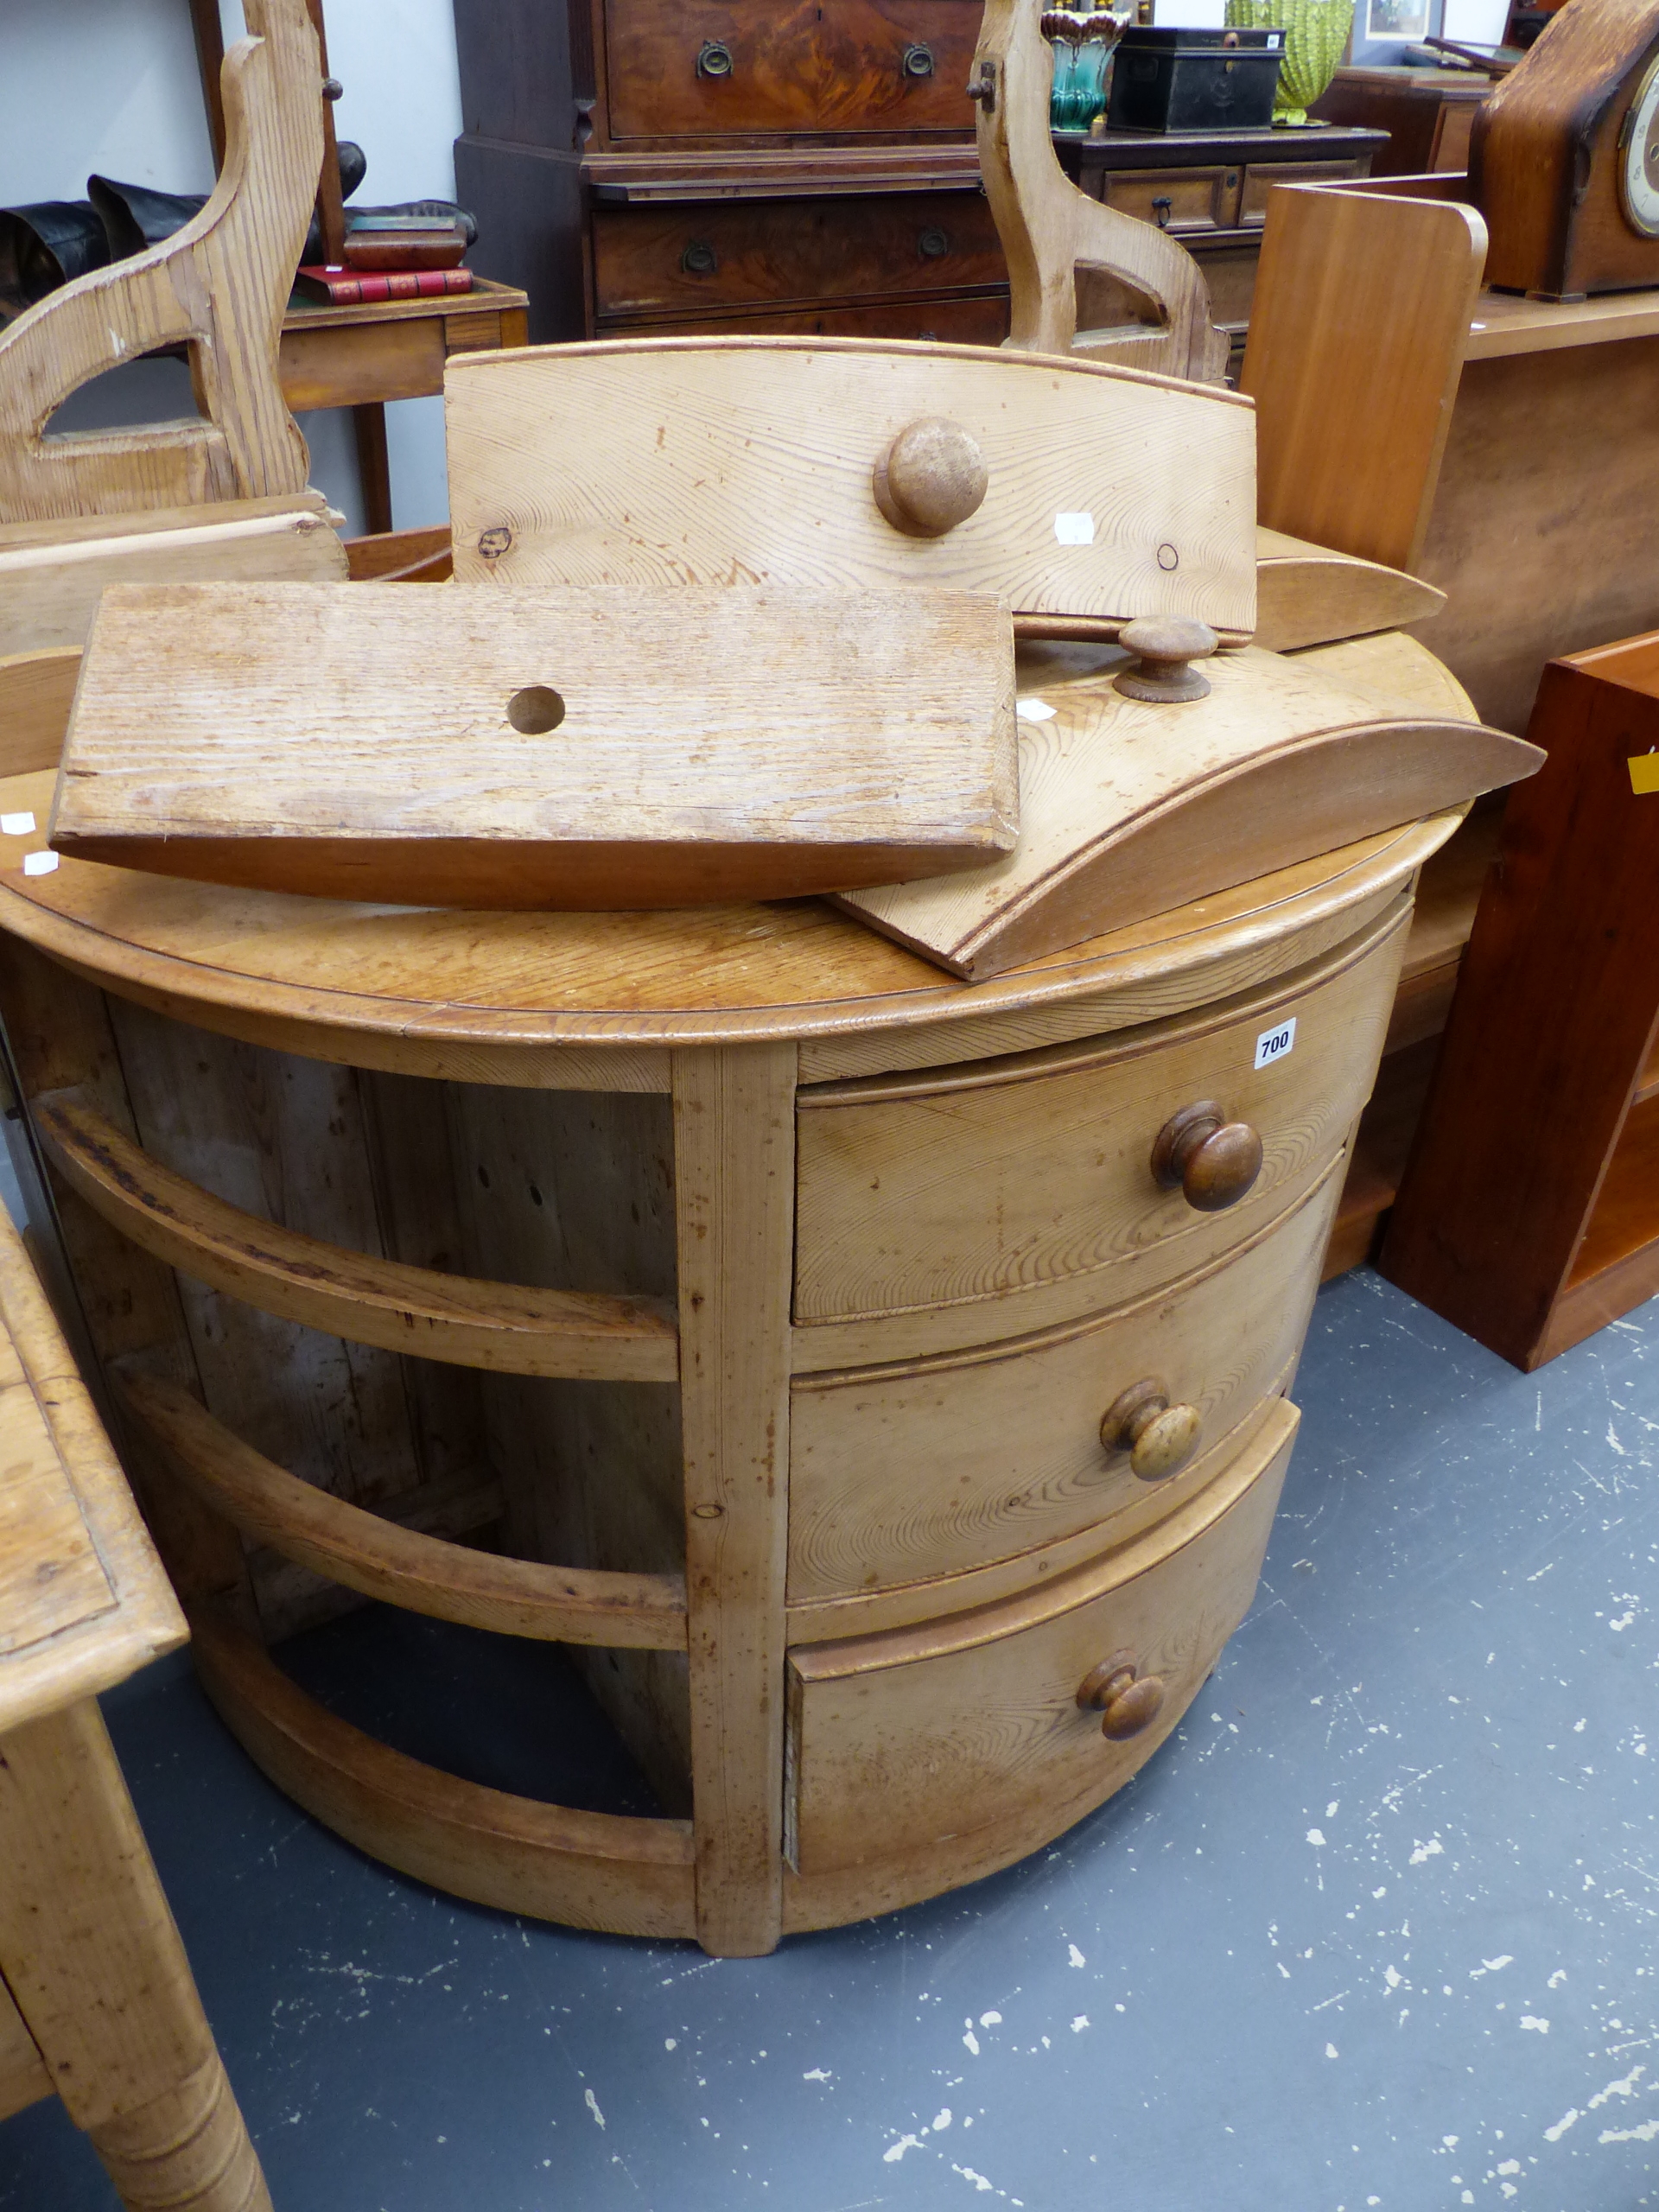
(696, 260)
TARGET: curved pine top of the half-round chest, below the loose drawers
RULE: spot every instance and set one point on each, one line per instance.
(213, 954)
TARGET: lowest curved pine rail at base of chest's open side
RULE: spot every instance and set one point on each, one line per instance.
(589, 1870)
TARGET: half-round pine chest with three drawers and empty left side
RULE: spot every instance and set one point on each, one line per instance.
(879, 1384)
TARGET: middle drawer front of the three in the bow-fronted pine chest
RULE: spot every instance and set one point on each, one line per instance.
(908, 1474)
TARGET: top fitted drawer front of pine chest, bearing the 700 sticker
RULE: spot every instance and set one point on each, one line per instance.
(1014, 1176)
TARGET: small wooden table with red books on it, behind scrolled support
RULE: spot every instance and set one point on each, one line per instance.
(395, 351)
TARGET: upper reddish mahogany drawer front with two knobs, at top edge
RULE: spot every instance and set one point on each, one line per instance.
(831, 65)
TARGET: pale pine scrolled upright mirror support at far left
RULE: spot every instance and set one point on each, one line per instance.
(222, 494)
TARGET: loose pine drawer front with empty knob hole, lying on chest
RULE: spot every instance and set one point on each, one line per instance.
(536, 749)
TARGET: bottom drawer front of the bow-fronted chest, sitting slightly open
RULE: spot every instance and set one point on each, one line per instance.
(974, 1724)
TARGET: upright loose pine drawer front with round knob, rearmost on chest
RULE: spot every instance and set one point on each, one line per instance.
(559, 446)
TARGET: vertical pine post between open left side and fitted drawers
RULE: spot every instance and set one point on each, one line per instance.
(735, 1213)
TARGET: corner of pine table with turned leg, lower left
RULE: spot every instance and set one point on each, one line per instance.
(96, 1994)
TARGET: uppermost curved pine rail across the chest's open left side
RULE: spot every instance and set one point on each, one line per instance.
(583, 1337)
